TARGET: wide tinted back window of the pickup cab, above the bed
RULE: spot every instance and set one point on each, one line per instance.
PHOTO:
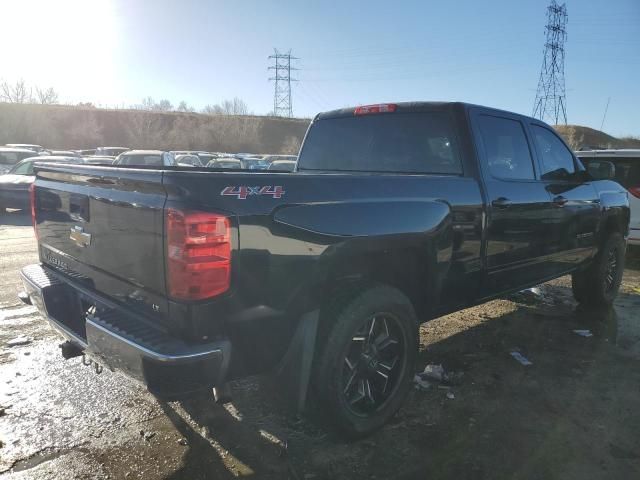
(415, 142)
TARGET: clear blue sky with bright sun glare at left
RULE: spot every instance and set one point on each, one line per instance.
(116, 52)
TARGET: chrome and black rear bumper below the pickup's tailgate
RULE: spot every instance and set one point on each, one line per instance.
(123, 340)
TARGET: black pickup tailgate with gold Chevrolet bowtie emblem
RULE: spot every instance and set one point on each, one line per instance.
(104, 228)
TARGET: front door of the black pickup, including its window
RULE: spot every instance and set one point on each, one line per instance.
(576, 204)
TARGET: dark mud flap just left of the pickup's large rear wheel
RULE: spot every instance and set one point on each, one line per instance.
(294, 371)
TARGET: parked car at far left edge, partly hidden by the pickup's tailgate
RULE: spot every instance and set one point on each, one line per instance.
(14, 185)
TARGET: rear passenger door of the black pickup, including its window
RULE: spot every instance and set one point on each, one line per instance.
(519, 205)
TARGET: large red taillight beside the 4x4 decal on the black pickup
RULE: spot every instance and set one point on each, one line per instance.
(198, 254)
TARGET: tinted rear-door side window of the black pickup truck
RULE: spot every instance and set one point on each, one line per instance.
(506, 148)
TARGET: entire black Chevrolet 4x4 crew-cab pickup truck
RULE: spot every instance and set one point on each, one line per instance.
(185, 278)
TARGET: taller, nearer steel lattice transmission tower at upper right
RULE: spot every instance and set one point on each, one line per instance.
(551, 99)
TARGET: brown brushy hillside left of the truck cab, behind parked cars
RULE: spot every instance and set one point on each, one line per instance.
(70, 127)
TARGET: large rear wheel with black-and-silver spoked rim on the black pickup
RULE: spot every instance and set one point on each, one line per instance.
(364, 338)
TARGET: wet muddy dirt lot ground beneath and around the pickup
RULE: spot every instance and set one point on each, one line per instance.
(572, 414)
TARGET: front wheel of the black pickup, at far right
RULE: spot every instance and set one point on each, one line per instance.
(598, 285)
